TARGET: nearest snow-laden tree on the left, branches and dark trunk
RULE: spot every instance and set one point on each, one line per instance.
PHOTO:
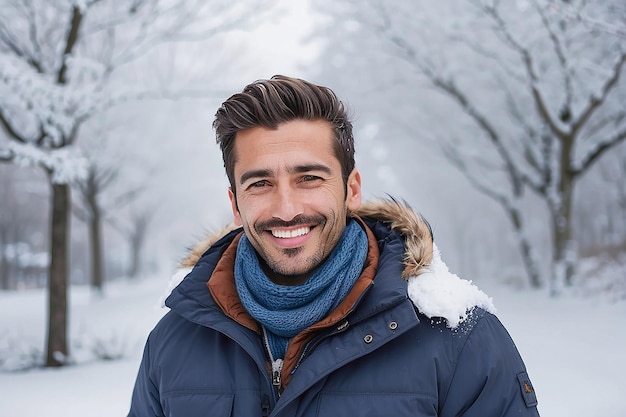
(61, 63)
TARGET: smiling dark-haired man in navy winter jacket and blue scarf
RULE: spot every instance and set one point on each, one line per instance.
(316, 305)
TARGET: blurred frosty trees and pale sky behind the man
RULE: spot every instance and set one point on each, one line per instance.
(503, 122)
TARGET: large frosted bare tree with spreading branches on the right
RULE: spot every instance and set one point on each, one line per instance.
(529, 99)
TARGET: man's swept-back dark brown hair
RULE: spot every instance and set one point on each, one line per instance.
(268, 103)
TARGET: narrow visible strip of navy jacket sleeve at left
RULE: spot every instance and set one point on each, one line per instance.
(145, 401)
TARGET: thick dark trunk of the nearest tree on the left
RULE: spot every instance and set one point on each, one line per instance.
(57, 350)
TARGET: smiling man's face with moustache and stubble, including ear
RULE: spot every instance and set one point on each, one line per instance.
(290, 196)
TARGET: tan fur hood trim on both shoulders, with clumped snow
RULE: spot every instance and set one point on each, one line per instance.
(433, 289)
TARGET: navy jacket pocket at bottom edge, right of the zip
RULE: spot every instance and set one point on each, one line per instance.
(375, 404)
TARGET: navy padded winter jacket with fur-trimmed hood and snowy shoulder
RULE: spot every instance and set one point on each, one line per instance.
(407, 349)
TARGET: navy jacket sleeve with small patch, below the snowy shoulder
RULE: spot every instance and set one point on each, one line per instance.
(490, 378)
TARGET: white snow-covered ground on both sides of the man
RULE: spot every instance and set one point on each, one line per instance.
(573, 346)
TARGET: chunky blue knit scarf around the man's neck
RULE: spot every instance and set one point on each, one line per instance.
(285, 310)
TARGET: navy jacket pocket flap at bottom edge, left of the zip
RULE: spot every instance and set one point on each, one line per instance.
(198, 404)
